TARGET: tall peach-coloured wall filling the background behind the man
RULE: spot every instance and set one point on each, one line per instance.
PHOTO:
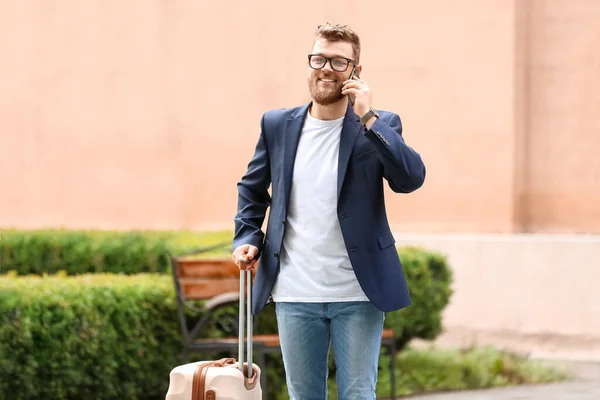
(144, 114)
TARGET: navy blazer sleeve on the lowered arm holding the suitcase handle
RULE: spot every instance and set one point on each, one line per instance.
(253, 196)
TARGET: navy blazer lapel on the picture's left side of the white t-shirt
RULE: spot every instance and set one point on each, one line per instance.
(291, 136)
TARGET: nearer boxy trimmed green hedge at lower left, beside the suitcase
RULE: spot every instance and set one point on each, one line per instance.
(92, 337)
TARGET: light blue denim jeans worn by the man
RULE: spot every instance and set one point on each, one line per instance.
(306, 331)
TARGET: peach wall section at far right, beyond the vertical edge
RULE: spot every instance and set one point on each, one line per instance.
(563, 167)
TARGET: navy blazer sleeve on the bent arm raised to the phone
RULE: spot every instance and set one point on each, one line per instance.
(403, 167)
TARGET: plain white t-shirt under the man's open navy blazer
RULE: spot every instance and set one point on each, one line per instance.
(315, 266)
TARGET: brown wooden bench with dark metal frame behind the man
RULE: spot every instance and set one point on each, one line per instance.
(215, 282)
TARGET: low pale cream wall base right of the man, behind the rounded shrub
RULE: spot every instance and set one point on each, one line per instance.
(529, 293)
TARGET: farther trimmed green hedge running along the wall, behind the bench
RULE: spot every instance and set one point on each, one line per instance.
(79, 252)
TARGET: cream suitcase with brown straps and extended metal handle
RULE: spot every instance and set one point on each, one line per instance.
(225, 379)
